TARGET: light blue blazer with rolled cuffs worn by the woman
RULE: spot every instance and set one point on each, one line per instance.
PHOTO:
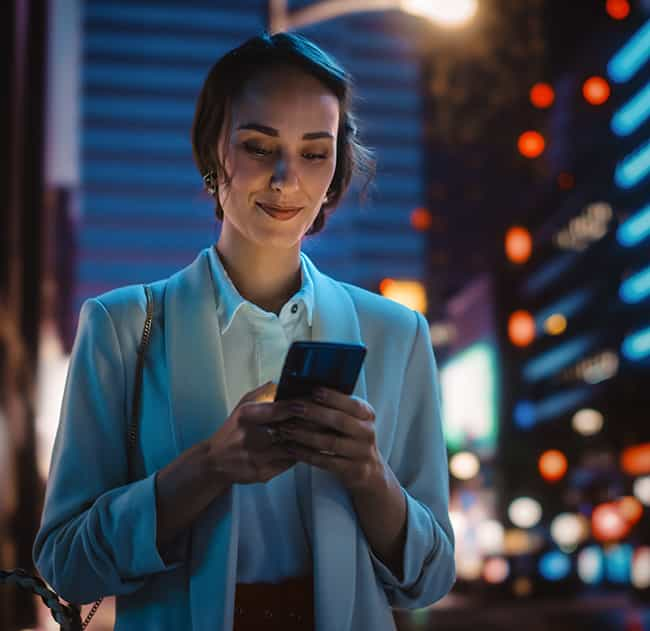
(98, 532)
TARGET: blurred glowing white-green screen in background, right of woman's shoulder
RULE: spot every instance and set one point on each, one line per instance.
(469, 399)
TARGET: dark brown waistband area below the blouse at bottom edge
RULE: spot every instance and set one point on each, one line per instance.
(284, 606)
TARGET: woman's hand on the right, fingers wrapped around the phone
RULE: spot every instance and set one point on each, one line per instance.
(338, 435)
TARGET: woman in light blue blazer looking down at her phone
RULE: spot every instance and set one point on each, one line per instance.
(228, 521)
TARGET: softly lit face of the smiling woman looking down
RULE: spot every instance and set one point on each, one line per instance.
(281, 156)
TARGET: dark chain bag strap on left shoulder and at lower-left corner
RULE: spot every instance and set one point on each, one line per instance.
(69, 616)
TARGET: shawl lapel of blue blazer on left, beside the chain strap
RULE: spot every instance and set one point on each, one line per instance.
(200, 405)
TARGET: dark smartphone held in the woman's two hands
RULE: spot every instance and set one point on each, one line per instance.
(310, 364)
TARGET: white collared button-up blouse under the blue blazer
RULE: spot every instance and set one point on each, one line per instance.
(273, 540)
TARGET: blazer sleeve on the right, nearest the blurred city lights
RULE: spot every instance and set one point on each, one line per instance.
(419, 460)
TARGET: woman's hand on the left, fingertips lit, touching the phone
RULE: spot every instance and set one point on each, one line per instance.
(243, 450)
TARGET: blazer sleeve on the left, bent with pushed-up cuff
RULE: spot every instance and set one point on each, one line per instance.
(98, 533)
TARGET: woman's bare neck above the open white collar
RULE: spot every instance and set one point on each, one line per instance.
(266, 278)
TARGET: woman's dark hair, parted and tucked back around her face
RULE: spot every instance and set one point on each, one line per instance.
(225, 83)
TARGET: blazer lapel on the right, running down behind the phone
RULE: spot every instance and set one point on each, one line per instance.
(335, 536)
